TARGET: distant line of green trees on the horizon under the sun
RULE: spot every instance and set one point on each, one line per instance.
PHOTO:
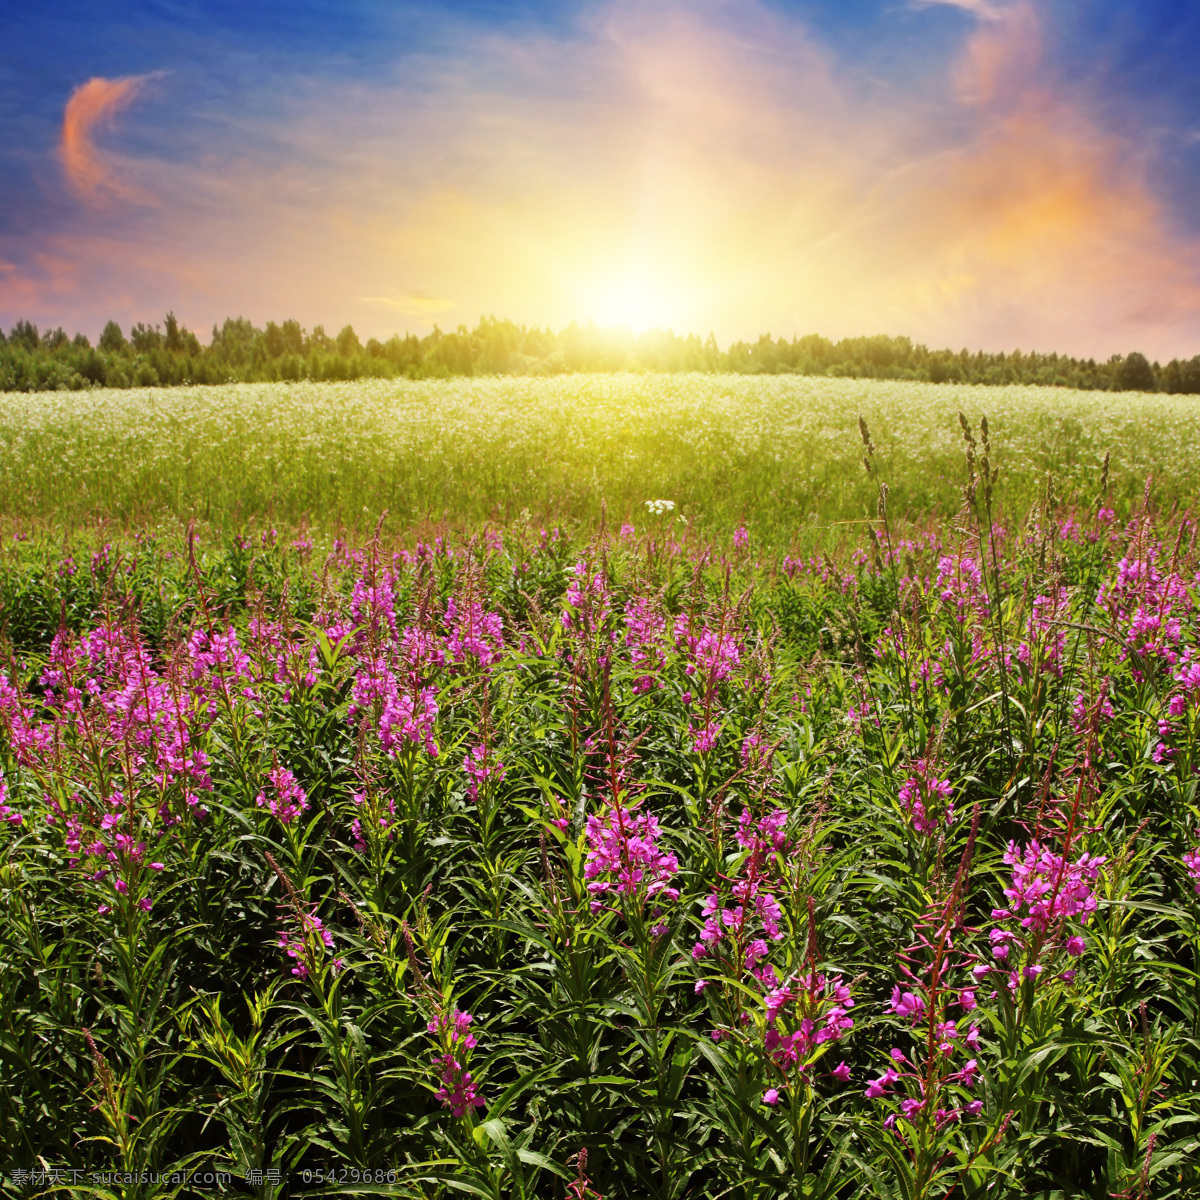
(238, 351)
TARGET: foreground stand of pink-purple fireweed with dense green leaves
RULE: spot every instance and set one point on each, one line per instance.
(631, 865)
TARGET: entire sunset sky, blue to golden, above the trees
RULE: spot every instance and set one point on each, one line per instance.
(988, 175)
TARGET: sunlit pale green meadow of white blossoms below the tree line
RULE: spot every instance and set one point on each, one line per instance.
(781, 453)
